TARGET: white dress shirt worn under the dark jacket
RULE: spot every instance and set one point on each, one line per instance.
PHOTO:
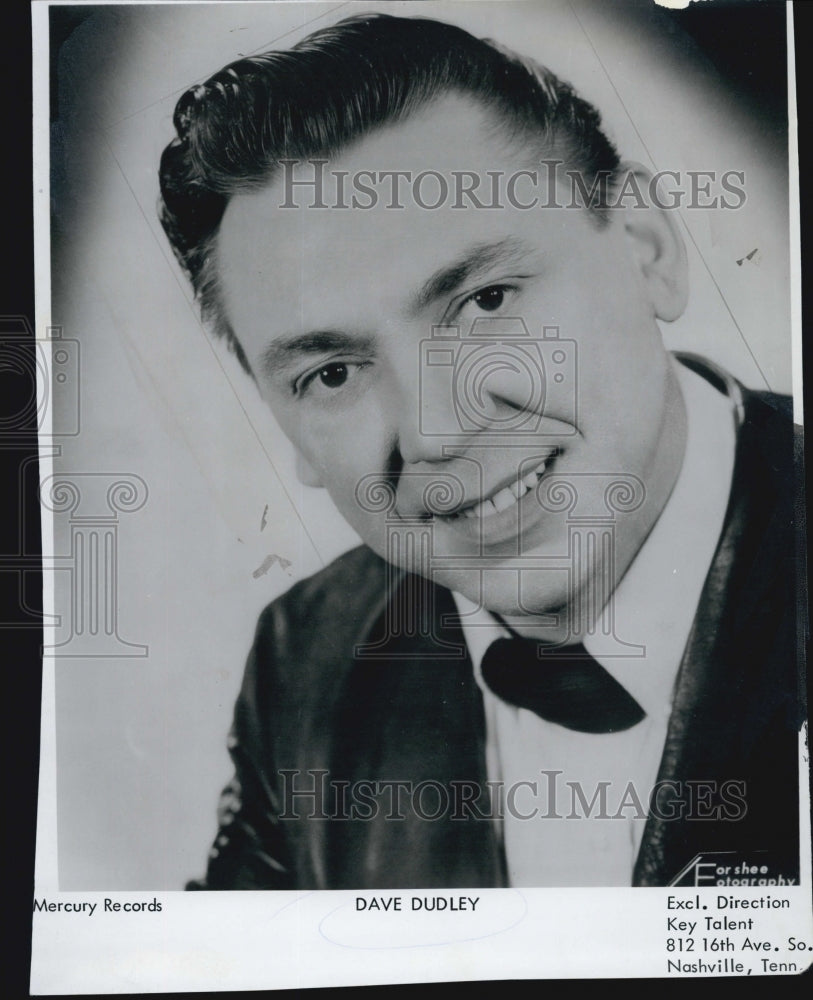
(654, 607)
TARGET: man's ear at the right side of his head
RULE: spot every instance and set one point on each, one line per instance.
(657, 244)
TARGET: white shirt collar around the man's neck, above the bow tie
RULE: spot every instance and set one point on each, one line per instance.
(656, 600)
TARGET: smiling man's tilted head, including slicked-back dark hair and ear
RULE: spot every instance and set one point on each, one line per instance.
(333, 310)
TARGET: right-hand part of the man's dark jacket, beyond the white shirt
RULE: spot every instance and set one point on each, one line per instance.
(734, 713)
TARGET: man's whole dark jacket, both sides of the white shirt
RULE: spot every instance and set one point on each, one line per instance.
(332, 696)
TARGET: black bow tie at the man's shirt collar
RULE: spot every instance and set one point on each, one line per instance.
(566, 686)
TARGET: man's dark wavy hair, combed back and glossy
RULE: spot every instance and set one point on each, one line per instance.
(332, 88)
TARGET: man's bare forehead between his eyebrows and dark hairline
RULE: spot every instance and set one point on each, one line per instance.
(328, 249)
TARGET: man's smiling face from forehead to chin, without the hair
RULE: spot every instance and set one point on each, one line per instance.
(335, 309)
